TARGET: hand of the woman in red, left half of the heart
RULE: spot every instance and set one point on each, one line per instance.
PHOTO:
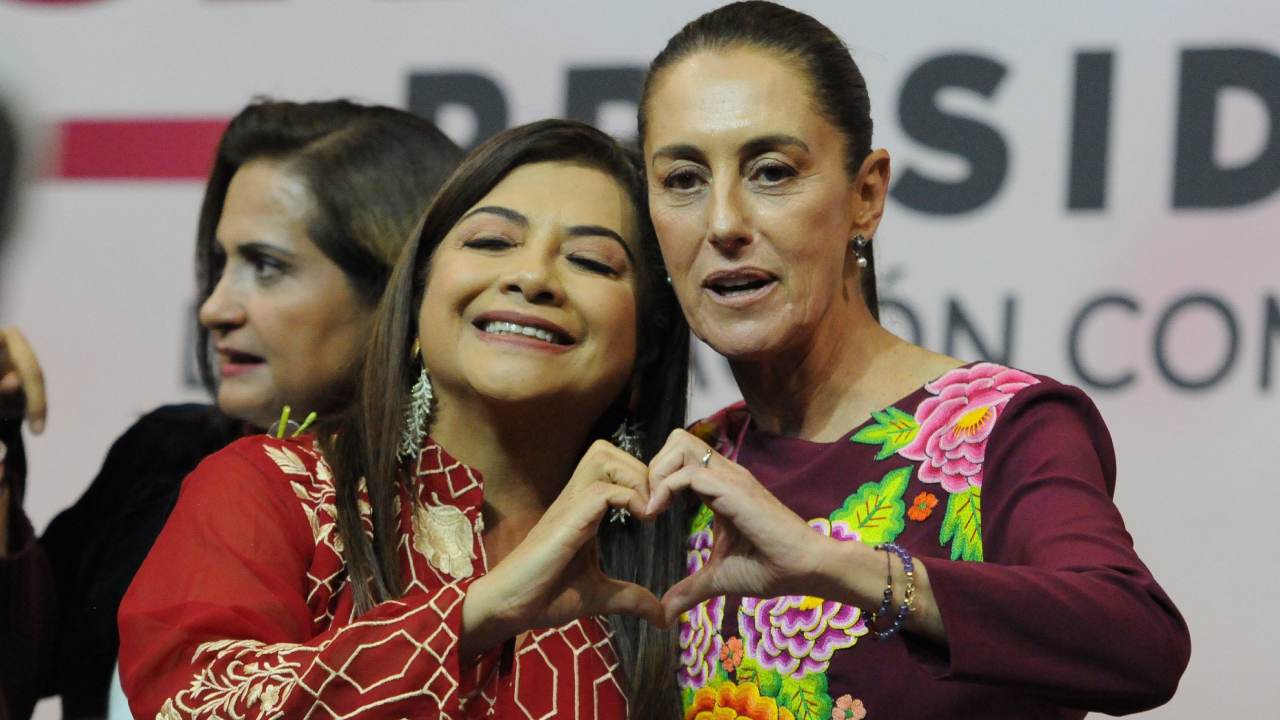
(555, 575)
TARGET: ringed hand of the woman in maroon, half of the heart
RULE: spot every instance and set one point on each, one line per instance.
(761, 548)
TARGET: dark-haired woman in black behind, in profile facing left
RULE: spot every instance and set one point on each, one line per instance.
(305, 212)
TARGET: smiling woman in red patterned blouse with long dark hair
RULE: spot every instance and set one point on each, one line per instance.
(461, 575)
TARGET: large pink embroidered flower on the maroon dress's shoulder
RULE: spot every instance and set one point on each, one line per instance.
(956, 425)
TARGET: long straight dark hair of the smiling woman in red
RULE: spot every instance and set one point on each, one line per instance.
(650, 554)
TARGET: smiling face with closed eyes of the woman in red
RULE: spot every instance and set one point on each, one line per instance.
(532, 297)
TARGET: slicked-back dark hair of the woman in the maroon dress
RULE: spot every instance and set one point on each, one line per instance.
(835, 83)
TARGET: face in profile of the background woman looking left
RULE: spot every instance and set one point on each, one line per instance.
(284, 317)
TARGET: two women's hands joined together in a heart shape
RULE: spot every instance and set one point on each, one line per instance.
(761, 548)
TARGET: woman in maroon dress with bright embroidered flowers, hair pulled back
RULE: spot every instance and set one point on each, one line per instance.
(1030, 600)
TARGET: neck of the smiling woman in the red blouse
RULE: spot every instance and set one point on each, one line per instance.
(524, 468)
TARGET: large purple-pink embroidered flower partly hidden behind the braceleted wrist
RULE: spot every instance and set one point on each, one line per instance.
(798, 635)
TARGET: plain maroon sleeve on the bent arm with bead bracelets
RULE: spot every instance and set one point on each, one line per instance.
(1063, 607)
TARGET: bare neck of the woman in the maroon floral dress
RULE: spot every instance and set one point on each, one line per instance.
(819, 389)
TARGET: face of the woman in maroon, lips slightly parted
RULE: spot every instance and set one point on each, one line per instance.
(752, 202)
